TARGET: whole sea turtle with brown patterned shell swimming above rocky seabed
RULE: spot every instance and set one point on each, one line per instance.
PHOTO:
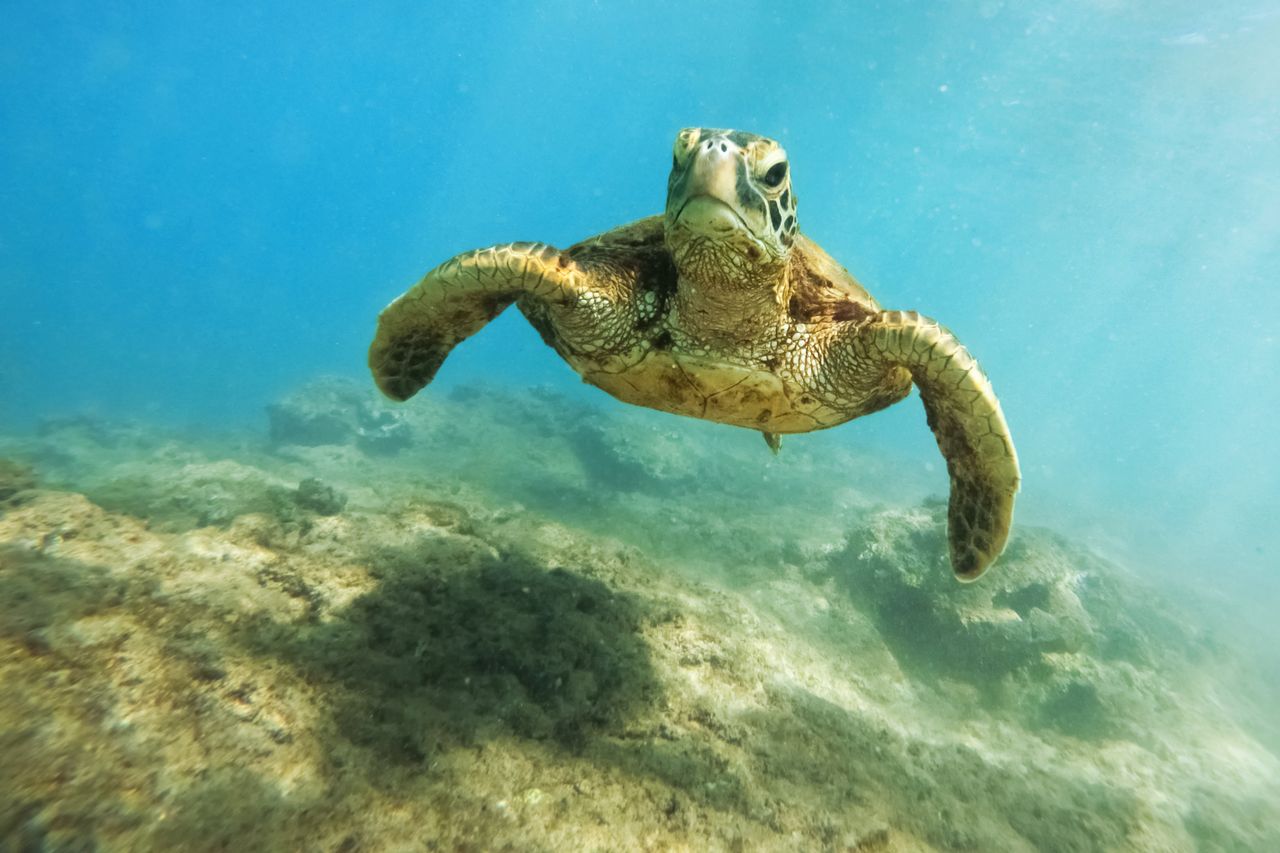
(721, 309)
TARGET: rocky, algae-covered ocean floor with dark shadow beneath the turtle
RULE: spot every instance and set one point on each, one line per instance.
(508, 621)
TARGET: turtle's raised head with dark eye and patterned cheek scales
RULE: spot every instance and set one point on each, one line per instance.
(729, 200)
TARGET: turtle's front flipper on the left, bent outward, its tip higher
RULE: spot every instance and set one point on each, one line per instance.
(456, 300)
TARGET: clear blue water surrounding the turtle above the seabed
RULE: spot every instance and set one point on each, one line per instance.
(204, 206)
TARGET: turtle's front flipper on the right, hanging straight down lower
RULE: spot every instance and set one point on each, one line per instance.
(971, 430)
